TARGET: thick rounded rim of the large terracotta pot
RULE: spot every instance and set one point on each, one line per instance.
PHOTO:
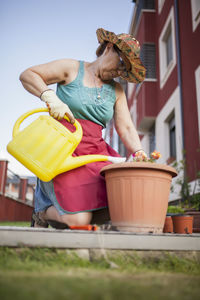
(139, 165)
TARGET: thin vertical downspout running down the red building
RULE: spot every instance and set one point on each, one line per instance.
(179, 70)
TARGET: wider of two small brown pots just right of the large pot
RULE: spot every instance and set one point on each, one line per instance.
(183, 224)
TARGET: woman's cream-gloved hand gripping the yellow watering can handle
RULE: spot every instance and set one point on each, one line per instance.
(57, 108)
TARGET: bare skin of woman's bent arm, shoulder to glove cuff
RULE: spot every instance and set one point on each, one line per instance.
(37, 78)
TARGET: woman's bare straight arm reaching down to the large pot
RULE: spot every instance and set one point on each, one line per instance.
(123, 123)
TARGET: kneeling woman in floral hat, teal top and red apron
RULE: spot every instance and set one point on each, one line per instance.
(86, 91)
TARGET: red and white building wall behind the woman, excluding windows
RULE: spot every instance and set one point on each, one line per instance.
(164, 94)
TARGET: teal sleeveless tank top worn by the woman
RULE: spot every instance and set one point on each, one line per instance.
(84, 101)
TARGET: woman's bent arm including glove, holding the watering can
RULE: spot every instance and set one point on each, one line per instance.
(36, 80)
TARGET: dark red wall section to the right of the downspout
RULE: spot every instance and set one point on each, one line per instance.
(190, 60)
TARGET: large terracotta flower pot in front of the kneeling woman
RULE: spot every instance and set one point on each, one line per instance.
(138, 195)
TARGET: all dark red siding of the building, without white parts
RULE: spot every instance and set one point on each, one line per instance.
(149, 30)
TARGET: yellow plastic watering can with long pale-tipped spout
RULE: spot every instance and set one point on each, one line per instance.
(45, 146)
